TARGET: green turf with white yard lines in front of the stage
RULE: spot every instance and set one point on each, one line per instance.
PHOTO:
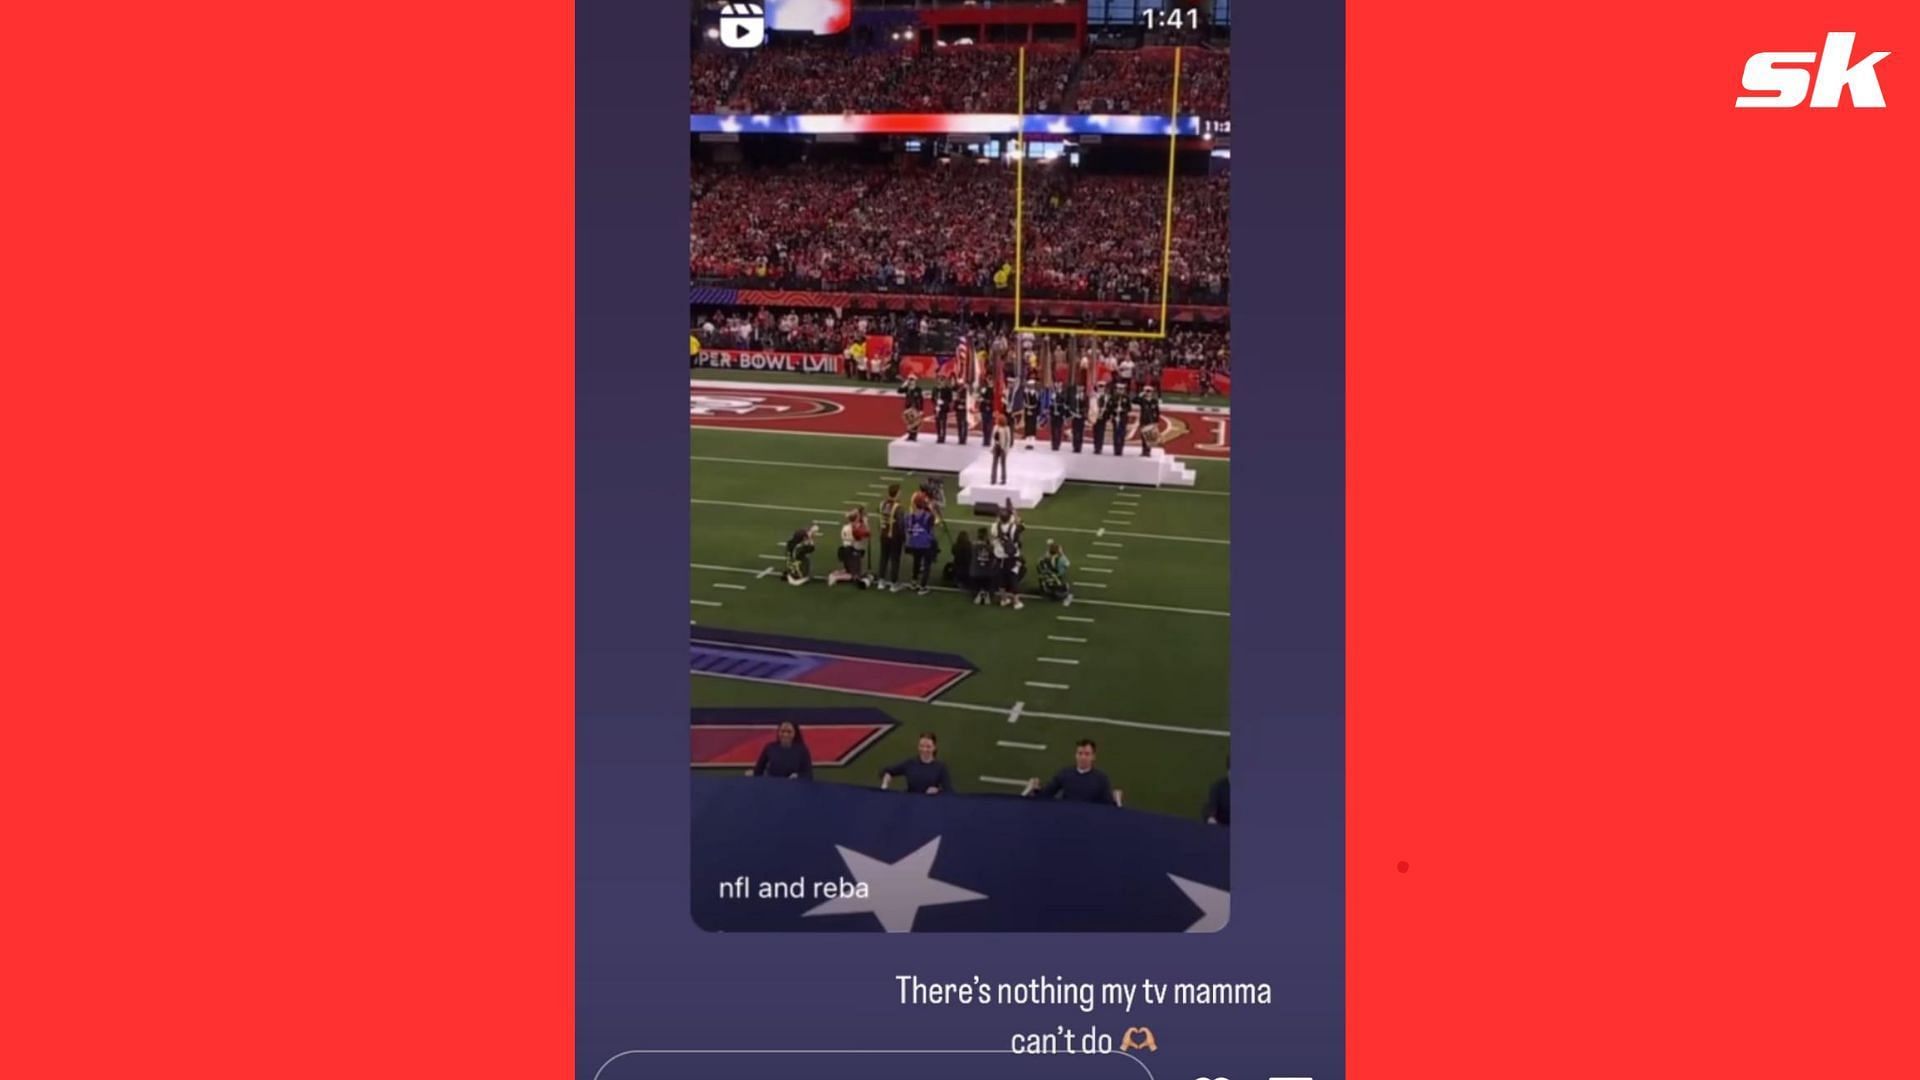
(1138, 664)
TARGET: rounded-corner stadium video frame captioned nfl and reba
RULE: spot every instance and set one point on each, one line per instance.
(961, 443)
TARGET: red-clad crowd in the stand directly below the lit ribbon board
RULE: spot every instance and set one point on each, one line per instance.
(946, 230)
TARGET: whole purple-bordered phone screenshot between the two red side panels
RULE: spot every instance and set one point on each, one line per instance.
(971, 639)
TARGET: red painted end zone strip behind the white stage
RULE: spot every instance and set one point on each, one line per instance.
(1188, 431)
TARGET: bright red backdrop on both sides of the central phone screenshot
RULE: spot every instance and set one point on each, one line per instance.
(1631, 506)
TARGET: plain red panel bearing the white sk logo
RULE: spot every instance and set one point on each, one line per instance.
(1631, 545)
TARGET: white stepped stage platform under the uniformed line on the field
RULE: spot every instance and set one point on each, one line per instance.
(1036, 474)
